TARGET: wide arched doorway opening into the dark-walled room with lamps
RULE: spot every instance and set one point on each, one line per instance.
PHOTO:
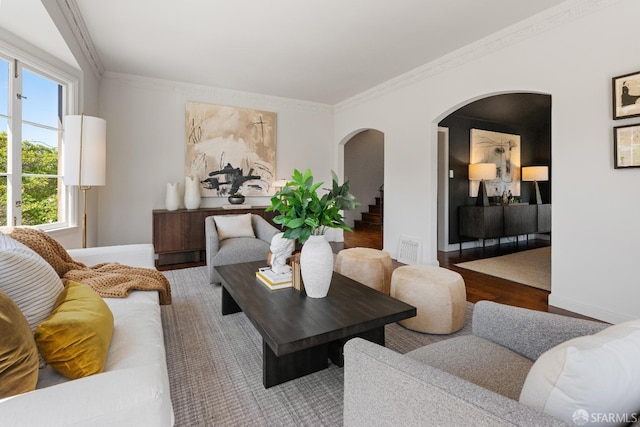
(528, 116)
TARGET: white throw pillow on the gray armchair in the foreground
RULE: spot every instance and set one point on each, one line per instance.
(595, 378)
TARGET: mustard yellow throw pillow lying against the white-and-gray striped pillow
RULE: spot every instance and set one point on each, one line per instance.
(75, 338)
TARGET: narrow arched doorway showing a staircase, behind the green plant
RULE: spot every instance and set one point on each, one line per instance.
(364, 169)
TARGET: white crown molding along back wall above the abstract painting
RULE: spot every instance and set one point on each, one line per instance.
(202, 93)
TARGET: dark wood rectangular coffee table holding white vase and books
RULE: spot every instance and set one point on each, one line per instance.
(300, 334)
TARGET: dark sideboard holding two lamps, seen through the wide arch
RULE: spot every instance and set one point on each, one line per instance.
(494, 222)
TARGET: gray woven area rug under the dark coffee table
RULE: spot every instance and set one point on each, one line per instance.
(215, 364)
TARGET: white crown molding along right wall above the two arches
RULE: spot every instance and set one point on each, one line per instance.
(537, 24)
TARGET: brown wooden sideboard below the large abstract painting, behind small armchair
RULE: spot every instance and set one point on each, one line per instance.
(178, 236)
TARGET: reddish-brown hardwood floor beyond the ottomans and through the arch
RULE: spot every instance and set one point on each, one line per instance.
(479, 286)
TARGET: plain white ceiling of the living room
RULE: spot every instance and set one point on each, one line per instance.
(323, 51)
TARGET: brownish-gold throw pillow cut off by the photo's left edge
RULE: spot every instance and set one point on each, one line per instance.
(18, 352)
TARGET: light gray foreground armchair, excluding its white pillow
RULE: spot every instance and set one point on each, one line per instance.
(467, 380)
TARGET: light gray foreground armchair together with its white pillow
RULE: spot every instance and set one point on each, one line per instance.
(518, 367)
